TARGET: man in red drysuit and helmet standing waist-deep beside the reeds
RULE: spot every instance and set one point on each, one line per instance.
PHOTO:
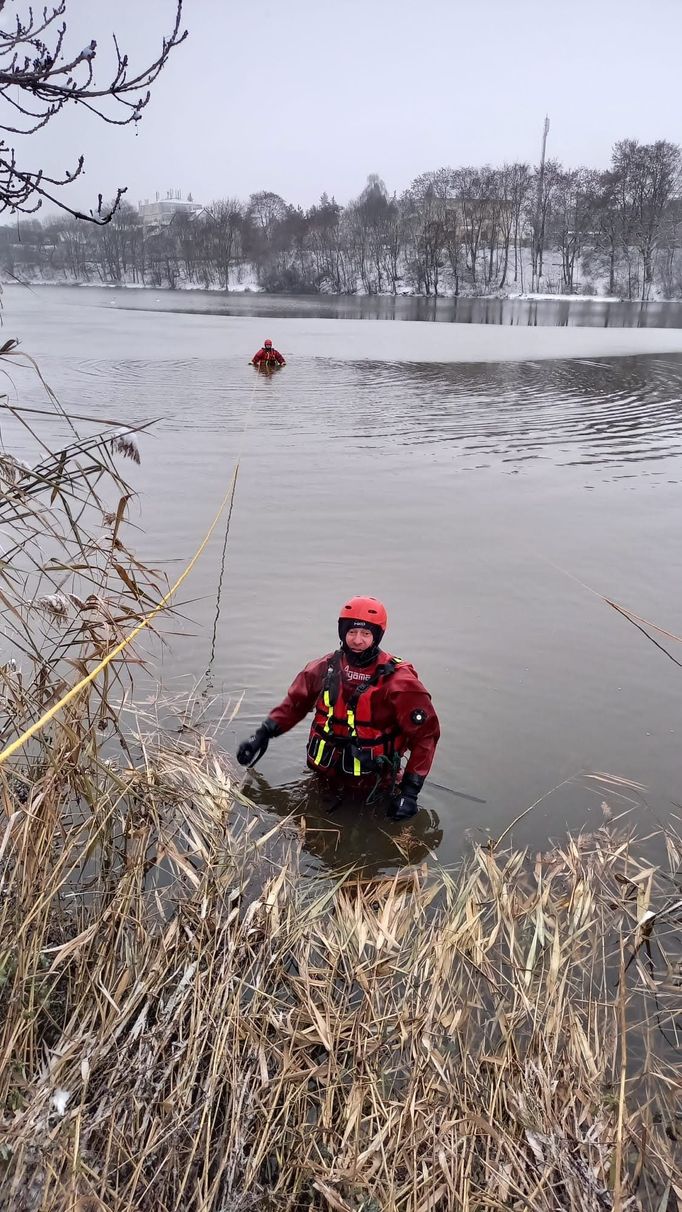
(370, 708)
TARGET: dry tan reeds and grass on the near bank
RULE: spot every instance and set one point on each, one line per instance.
(187, 1024)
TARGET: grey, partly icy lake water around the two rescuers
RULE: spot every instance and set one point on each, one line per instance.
(479, 479)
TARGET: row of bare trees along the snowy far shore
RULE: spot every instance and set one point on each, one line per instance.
(454, 228)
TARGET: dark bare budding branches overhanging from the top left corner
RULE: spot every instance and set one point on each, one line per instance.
(41, 78)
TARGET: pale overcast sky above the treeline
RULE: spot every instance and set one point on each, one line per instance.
(305, 96)
